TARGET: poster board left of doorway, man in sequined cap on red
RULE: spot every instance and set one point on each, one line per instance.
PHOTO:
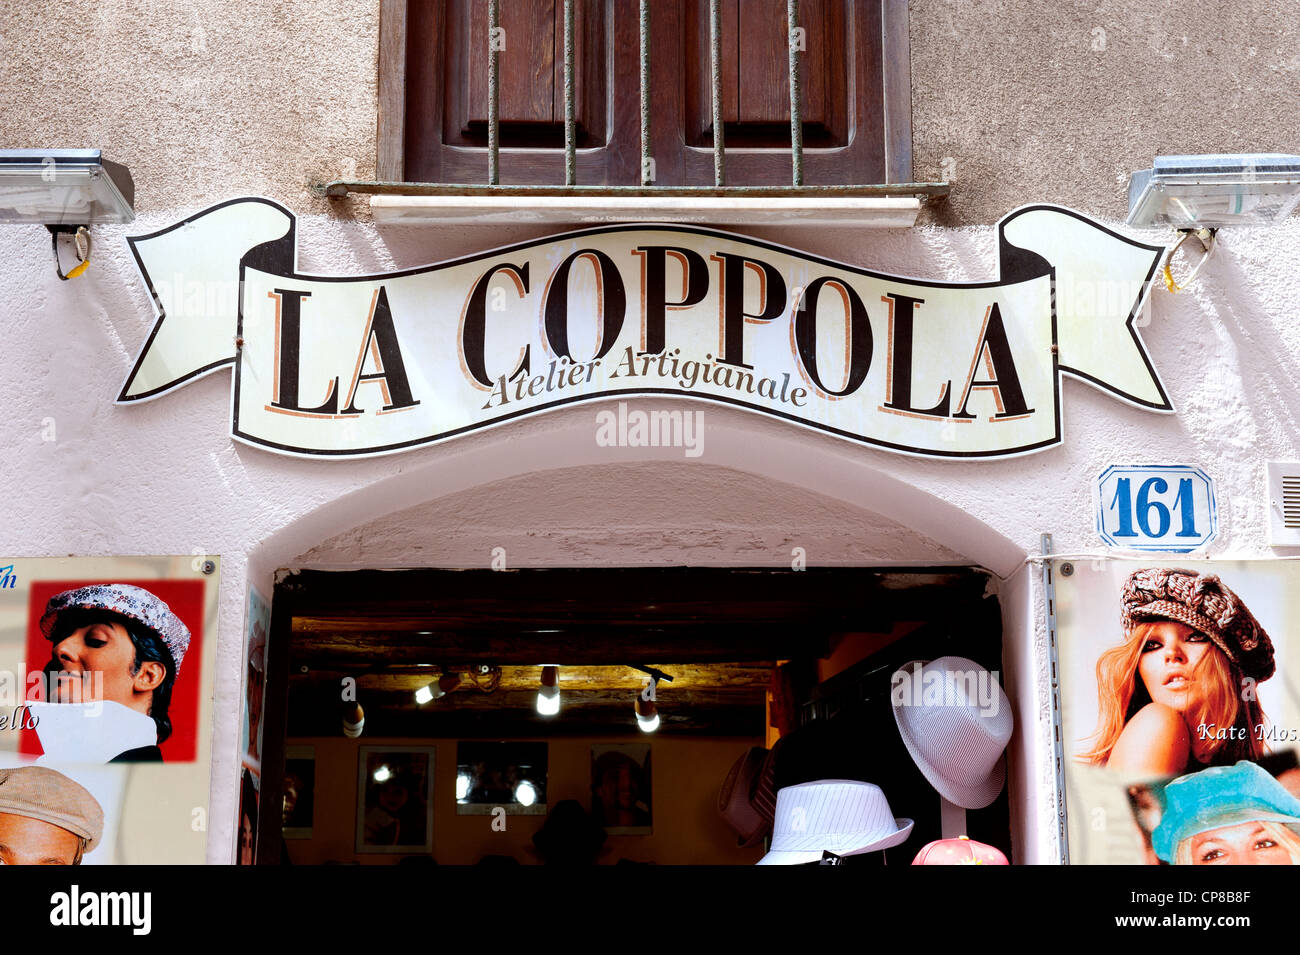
(106, 681)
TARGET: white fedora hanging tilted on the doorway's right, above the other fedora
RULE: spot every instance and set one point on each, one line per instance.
(956, 722)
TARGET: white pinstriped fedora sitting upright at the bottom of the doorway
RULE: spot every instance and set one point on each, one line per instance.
(843, 817)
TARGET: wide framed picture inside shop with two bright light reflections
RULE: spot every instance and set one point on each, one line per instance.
(509, 776)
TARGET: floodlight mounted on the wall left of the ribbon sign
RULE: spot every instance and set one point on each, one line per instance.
(67, 192)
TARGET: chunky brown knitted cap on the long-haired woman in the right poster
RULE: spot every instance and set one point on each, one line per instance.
(1204, 604)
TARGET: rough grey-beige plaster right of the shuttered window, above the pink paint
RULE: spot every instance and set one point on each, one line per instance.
(1019, 102)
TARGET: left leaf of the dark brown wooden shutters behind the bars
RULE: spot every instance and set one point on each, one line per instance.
(445, 124)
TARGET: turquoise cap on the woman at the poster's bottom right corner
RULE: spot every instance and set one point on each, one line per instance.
(1221, 797)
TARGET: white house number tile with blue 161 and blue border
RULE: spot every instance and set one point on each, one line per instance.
(1156, 507)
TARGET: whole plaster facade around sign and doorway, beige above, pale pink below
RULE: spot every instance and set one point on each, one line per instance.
(207, 102)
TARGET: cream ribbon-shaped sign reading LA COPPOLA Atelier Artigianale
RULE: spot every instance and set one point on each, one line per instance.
(350, 366)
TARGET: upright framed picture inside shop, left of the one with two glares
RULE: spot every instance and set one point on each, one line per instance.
(395, 810)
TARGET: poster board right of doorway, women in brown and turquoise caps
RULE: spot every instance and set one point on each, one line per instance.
(1181, 719)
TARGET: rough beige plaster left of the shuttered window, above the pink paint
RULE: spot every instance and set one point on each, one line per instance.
(202, 99)
